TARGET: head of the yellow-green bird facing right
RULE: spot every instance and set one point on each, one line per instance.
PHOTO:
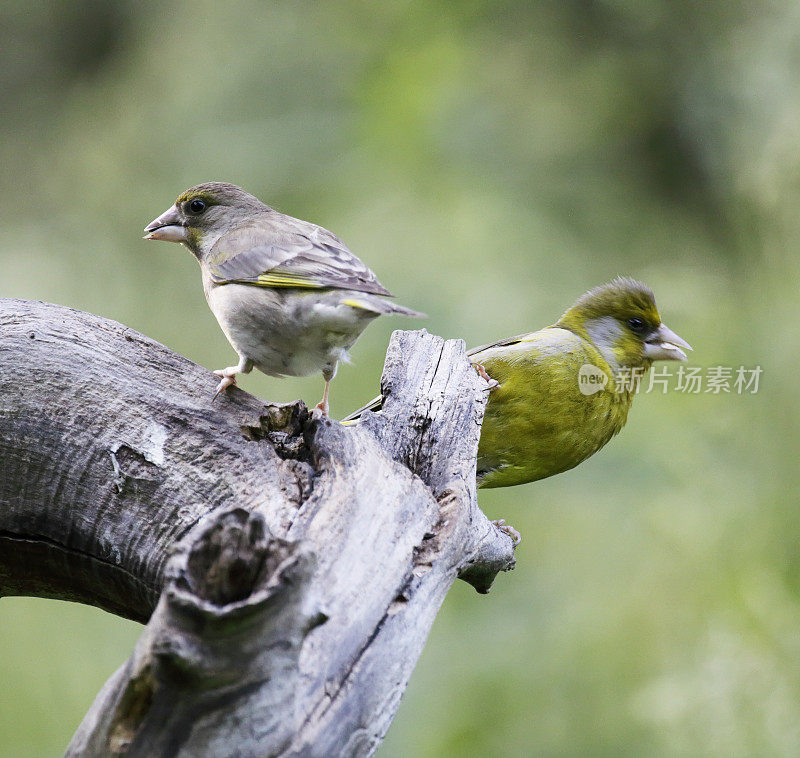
(623, 323)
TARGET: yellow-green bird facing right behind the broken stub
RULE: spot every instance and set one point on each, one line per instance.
(563, 392)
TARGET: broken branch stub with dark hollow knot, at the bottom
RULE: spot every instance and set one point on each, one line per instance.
(232, 619)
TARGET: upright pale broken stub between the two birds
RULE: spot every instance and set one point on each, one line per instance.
(433, 400)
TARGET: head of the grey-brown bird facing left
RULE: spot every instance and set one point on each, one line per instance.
(202, 214)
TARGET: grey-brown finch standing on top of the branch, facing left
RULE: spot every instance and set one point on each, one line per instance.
(288, 294)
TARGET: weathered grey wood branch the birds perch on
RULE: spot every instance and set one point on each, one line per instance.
(288, 568)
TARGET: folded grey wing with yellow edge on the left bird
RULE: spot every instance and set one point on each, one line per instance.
(289, 253)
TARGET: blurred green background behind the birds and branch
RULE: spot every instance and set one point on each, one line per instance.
(490, 161)
